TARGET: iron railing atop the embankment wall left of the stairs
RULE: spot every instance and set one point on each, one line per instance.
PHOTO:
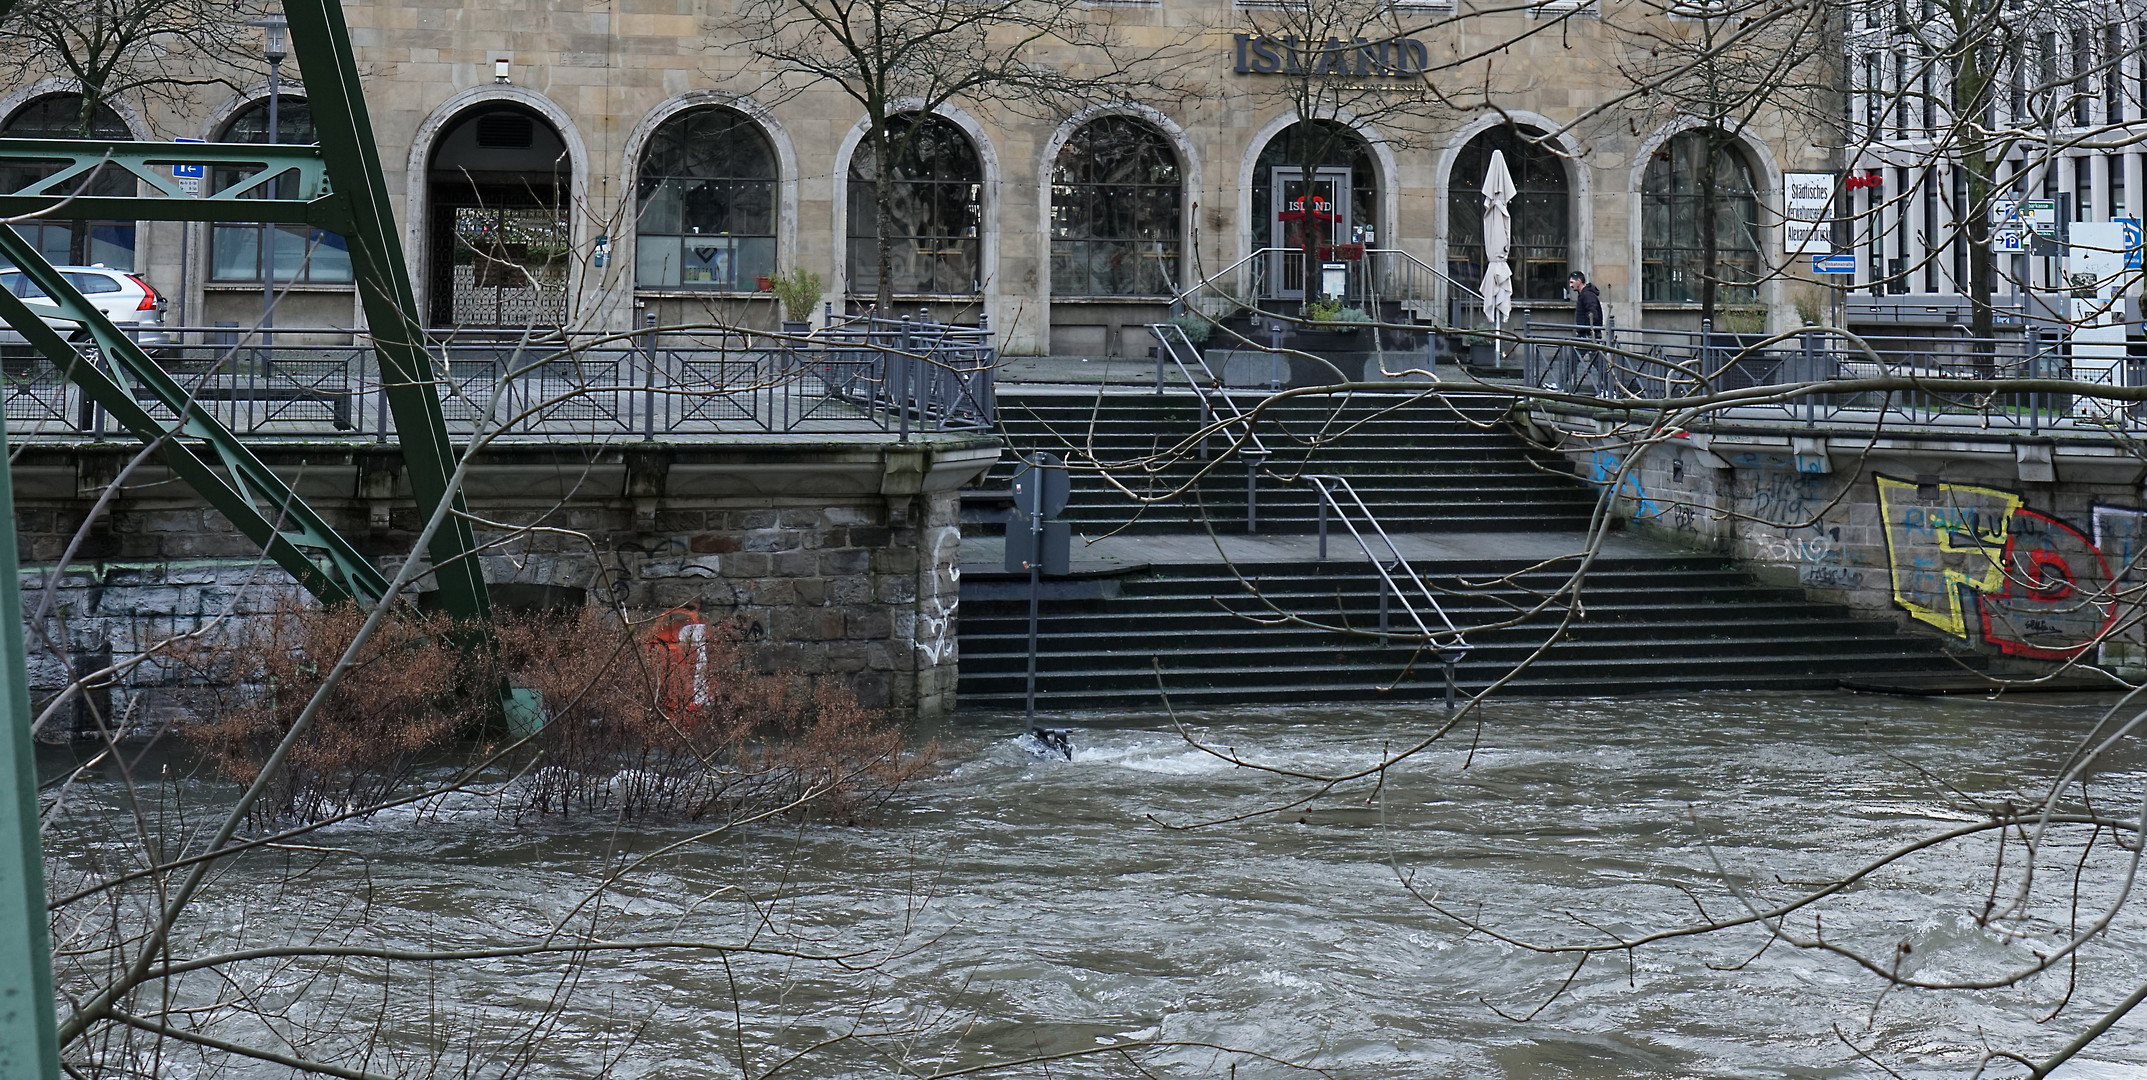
(860, 377)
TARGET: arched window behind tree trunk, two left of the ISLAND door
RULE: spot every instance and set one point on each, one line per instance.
(935, 211)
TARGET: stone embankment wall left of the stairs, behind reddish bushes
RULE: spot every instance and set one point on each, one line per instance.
(838, 561)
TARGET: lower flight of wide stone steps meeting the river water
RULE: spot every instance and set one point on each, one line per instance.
(1678, 624)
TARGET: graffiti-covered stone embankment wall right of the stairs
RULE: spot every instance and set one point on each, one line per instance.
(2024, 546)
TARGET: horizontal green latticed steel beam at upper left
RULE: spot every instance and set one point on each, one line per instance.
(149, 162)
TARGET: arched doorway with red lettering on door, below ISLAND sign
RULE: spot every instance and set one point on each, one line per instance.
(1315, 199)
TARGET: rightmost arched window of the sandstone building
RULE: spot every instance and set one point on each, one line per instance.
(1699, 218)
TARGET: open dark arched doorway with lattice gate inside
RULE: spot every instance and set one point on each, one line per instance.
(499, 242)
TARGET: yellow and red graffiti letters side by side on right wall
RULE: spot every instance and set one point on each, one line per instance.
(2039, 587)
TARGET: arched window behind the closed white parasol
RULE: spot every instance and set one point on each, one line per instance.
(1543, 214)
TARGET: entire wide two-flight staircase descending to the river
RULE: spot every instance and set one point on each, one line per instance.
(1652, 619)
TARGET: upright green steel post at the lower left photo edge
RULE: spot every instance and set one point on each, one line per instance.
(29, 1040)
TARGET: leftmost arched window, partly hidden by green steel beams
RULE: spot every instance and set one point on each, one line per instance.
(63, 117)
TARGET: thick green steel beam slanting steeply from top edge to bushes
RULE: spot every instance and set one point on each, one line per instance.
(321, 42)
